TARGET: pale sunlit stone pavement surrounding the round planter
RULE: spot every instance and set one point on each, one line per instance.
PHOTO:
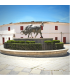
(14, 65)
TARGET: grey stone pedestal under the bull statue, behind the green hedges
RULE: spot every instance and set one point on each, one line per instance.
(37, 40)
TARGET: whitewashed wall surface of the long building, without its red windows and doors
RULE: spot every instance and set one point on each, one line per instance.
(47, 32)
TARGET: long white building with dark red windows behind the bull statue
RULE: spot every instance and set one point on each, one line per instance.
(55, 30)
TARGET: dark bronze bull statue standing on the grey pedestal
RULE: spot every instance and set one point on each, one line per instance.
(31, 28)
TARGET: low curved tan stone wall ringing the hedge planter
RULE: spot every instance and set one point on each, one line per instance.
(35, 53)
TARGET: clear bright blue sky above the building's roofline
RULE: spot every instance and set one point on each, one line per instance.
(27, 13)
